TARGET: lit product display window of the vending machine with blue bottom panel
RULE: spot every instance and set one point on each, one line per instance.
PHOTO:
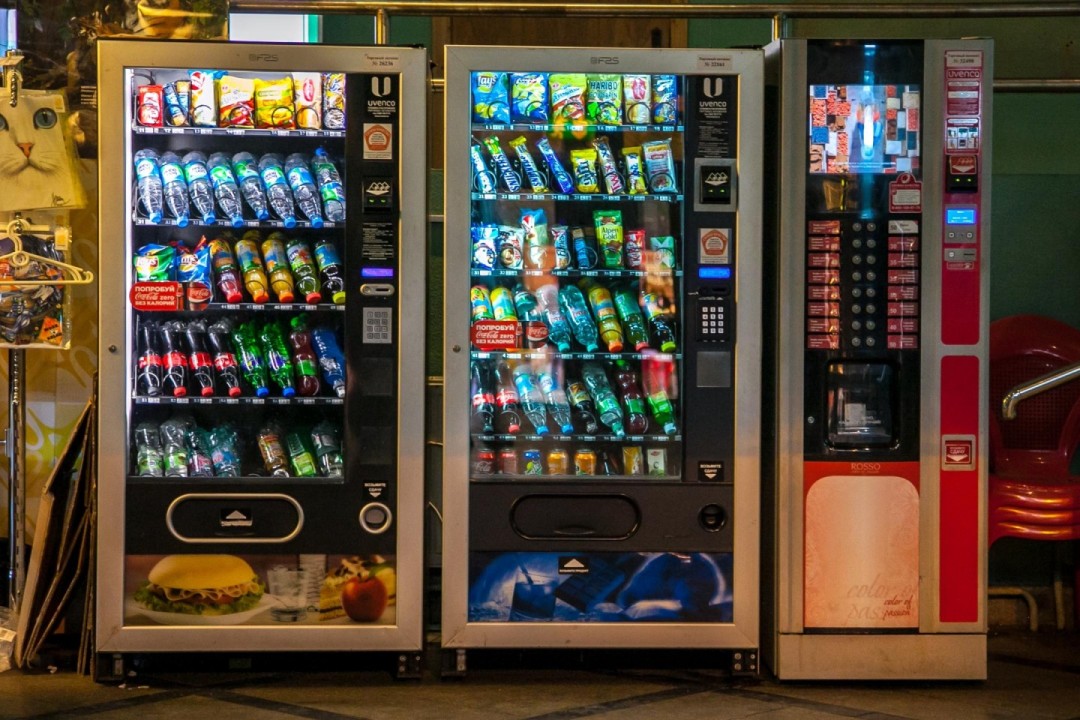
(575, 278)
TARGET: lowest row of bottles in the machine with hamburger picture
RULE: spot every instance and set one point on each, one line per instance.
(179, 447)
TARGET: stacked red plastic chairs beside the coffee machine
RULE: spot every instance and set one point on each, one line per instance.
(1032, 493)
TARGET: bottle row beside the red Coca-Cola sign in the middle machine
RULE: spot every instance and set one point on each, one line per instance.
(557, 315)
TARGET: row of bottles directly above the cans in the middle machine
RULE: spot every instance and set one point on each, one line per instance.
(504, 393)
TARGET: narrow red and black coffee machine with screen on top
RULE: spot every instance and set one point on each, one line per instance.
(882, 308)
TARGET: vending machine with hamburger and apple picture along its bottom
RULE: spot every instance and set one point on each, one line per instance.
(261, 445)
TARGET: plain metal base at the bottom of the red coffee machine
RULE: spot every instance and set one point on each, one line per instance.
(882, 658)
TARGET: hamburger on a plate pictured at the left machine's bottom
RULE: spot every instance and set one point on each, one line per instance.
(201, 586)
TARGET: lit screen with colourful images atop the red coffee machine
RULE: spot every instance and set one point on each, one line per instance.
(865, 130)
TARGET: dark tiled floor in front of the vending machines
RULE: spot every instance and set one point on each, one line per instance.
(1031, 676)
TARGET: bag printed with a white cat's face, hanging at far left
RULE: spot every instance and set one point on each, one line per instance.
(37, 156)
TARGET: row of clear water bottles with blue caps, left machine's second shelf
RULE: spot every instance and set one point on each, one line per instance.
(168, 182)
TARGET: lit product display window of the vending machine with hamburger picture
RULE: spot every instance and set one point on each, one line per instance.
(238, 282)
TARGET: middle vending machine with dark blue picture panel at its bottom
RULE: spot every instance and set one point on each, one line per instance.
(603, 349)
